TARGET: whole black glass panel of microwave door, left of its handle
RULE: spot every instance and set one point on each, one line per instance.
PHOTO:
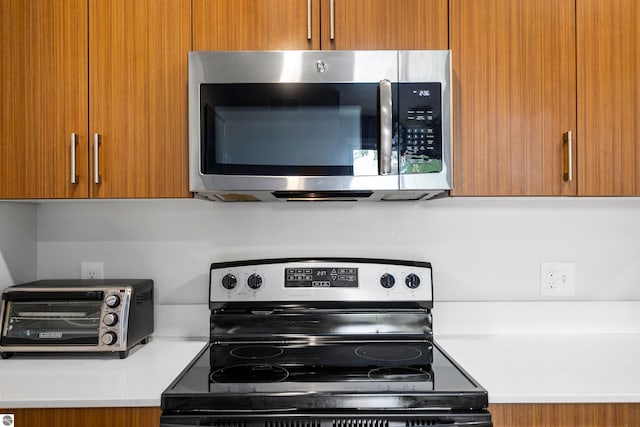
(290, 129)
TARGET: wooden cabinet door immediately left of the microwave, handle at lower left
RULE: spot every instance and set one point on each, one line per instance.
(138, 97)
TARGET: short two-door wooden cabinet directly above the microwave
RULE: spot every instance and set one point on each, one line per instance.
(319, 24)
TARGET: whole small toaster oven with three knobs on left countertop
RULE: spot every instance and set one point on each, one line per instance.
(109, 316)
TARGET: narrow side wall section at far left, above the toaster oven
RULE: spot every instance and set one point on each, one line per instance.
(18, 243)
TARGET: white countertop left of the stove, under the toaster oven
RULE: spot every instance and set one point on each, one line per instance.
(54, 381)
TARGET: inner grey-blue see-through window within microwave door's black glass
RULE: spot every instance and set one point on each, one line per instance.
(306, 136)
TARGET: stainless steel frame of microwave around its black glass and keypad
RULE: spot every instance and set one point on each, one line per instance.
(301, 67)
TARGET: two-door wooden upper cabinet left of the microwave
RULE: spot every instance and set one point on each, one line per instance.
(86, 67)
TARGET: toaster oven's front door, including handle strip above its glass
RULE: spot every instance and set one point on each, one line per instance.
(51, 318)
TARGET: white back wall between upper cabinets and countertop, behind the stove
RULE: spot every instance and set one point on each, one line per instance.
(482, 249)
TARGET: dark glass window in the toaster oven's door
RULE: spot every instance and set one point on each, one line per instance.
(52, 322)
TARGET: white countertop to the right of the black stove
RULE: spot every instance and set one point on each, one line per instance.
(551, 368)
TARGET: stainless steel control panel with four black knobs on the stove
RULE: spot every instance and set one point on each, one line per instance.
(321, 280)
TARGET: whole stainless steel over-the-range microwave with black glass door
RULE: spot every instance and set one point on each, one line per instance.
(320, 125)
